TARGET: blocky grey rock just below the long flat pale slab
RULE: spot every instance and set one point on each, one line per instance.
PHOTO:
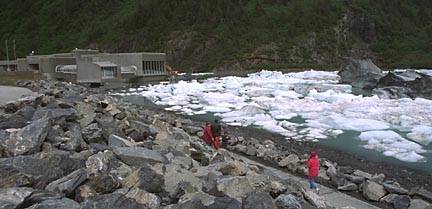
(145, 178)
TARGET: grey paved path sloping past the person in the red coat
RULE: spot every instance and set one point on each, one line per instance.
(332, 197)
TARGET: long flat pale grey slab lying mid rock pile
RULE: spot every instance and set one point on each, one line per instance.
(136, 156)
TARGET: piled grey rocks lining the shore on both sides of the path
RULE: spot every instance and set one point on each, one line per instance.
(71, 147)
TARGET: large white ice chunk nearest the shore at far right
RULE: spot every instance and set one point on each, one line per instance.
(393, 145)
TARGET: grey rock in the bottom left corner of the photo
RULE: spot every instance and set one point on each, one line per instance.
(12, 197)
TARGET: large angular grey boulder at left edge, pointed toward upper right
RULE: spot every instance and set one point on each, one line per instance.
(27, 140)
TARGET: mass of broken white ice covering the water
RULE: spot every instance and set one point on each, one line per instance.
(320, 106)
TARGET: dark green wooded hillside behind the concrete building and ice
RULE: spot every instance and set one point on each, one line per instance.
(227, 34)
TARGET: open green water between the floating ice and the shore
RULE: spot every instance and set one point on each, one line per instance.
(346, 141)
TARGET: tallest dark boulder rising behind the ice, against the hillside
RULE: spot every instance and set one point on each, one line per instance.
(360, 73)
